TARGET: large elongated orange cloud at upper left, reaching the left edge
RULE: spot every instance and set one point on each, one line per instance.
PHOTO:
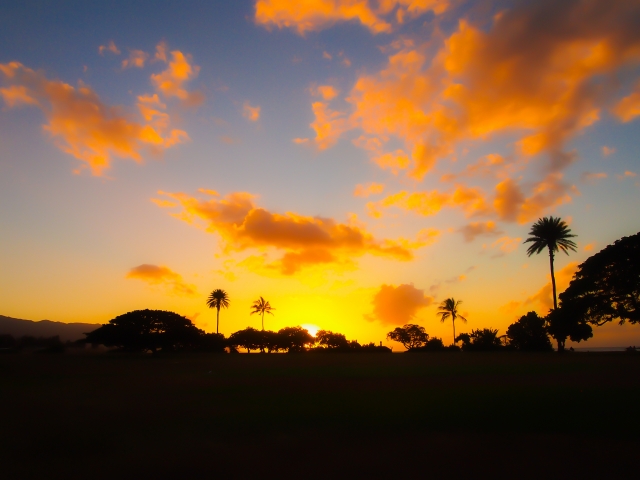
(82, 125)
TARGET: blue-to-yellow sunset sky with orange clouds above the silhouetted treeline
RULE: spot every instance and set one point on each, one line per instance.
(353, 162)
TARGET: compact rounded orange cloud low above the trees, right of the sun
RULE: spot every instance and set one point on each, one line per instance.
(398, 305)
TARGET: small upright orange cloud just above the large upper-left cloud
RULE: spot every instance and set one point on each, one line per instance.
(171, 82)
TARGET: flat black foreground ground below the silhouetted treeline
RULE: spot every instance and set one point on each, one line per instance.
(320, 416)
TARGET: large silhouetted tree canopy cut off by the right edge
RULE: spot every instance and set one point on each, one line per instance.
(607, 285)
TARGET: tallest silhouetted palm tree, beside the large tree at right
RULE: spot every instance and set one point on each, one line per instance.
(554, 234)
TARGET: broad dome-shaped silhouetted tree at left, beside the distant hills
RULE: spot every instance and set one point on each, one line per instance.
(143, 330)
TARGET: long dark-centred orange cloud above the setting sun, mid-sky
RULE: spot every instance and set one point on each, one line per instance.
(303, 241)
